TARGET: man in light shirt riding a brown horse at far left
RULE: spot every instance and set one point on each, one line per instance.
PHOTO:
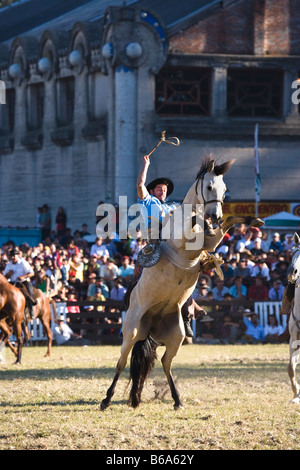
(18, 270)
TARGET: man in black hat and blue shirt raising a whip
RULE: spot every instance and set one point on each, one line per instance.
(153, 197)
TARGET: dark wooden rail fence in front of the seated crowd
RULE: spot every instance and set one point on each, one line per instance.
(104, 327)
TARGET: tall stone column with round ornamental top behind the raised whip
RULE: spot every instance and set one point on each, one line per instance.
(132, 39)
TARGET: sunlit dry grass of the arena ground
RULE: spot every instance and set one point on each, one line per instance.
(235, 398)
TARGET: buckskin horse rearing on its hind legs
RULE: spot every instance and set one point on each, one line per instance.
(154, 313)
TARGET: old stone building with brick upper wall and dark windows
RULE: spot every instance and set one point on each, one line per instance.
(89, 89)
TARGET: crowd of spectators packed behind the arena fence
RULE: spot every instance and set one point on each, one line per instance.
(69, 268)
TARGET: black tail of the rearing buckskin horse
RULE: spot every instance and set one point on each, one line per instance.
(143, 358)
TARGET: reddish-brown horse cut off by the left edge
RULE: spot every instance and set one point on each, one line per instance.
(12, 308)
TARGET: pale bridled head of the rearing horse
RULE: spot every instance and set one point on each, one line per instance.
(210, 187)
